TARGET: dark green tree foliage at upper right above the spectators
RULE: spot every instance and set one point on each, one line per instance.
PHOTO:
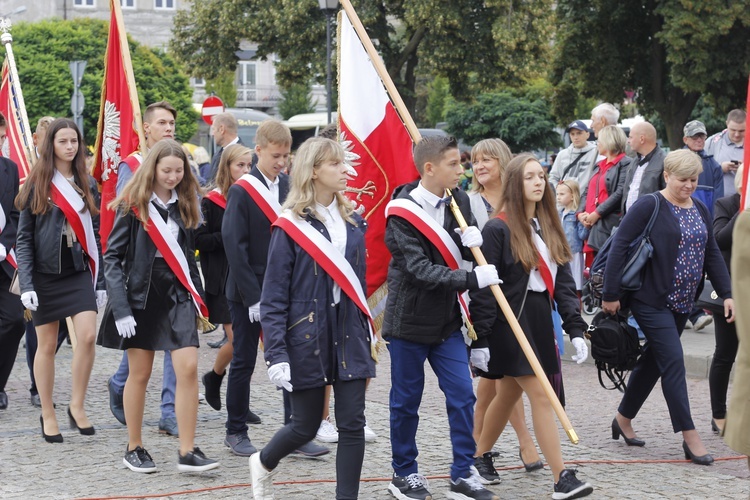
(669, 51)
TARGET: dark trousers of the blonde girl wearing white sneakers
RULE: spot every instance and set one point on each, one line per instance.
(307, 408)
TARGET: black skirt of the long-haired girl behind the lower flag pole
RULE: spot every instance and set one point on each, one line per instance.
(506, 355)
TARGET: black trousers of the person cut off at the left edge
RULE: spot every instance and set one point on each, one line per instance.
(11, 328)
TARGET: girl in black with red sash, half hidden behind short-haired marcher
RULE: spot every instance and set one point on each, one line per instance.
(236, 161)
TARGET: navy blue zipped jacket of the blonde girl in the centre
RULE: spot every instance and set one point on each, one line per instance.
(297, 313)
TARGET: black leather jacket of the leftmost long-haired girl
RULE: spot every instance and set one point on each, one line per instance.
(39, 243)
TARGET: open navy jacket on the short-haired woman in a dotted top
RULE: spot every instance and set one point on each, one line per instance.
(665, 237)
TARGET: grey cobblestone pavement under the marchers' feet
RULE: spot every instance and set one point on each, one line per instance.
(91, 467)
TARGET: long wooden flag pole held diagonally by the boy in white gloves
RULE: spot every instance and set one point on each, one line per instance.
(411, 127)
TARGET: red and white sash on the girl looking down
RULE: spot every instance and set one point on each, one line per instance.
(167, 244)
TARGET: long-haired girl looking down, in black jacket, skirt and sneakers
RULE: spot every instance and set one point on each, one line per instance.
(156, 294)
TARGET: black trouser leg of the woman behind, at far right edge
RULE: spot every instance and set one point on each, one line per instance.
(721, 366)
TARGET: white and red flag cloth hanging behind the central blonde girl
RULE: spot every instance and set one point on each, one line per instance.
(372, 130)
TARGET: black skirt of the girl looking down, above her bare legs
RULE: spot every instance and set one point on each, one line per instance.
(167, 323)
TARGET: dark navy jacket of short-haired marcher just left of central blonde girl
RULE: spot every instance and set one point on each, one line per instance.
(246, 232)
